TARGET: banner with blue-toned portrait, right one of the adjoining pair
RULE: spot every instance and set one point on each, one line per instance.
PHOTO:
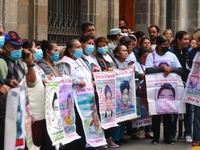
(125, 95)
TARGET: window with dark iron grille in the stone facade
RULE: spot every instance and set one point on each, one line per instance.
(63, 20)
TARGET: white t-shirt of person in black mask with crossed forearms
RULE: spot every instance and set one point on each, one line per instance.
(168, 59)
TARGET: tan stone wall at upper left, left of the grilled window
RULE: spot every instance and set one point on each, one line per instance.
(27, 17)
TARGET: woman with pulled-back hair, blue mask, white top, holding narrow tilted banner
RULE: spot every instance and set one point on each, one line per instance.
(72, 65)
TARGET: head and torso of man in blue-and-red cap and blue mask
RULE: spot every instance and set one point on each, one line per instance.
(11, 65)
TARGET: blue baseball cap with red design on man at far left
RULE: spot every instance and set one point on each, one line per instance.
(13, 38)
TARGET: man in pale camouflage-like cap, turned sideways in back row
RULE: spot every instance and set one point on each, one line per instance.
(114, 36)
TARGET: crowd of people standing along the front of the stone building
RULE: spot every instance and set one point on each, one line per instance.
(39, 61)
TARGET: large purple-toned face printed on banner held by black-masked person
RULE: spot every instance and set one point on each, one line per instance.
(166, 99)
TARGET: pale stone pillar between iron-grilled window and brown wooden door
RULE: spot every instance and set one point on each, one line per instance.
(103, 13)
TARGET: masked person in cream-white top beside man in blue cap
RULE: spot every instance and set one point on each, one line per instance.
(35, 79)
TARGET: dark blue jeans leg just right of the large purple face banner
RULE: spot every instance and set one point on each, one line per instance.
(188, 120)
